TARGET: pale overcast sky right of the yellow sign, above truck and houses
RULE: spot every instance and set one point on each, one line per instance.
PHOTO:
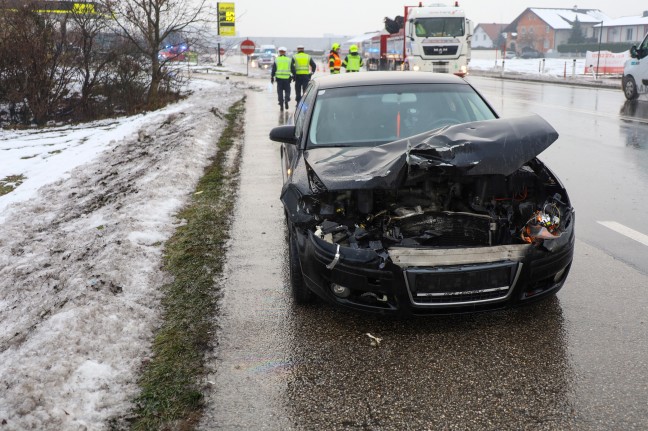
(310, 18)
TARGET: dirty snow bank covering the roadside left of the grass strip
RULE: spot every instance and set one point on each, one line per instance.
(80, 253)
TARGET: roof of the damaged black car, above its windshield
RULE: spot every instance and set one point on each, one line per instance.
(386, 78)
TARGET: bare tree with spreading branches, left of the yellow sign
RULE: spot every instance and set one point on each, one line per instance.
(147, 23)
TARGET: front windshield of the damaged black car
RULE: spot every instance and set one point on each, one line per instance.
(374, 115)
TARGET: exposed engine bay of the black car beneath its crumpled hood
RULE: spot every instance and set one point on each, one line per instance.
(529, 206)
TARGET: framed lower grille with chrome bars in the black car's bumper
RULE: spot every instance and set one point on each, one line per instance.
(463, 285)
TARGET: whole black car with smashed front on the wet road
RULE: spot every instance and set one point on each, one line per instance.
(404, 193)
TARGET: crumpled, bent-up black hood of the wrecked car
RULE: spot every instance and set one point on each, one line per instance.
(493, 147)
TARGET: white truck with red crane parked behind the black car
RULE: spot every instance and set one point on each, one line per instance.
(433, 38)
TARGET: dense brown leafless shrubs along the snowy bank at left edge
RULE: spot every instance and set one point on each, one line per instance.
(73, 67)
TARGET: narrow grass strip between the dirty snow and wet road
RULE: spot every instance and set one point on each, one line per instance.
(171, 396)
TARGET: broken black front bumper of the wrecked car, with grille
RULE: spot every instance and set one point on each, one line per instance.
(418, 281)
